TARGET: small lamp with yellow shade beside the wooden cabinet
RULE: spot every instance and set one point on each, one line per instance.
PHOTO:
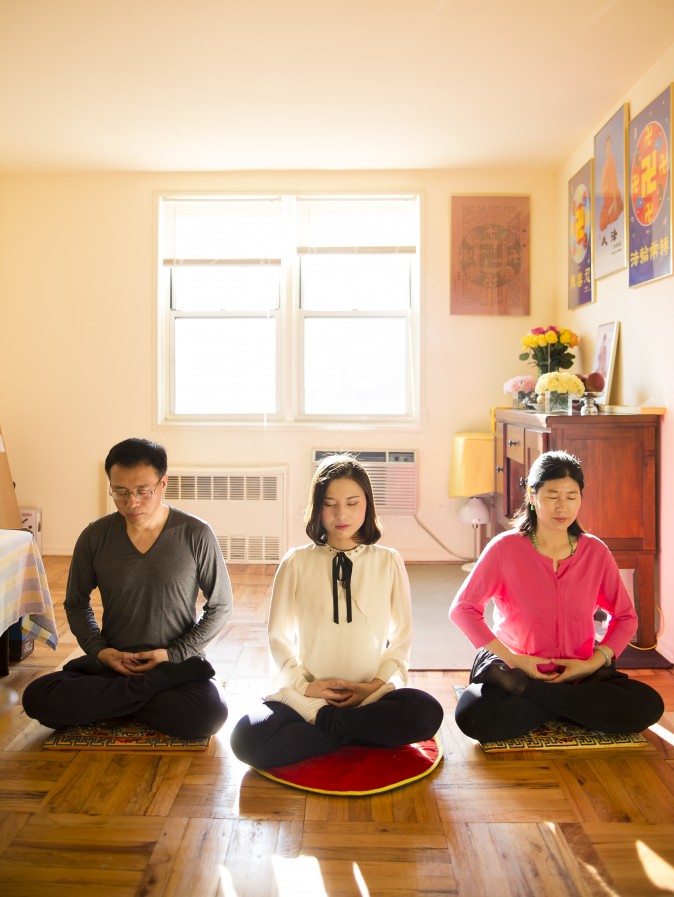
(471, 475)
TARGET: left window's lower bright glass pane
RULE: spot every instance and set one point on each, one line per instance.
(225, 366)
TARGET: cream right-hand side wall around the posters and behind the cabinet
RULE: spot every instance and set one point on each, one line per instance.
(645, 360)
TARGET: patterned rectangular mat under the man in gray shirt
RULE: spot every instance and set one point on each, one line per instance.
(123, 734)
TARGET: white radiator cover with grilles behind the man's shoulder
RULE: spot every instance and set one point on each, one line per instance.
(244, 506)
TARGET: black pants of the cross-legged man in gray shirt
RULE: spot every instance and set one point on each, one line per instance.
(86, 691)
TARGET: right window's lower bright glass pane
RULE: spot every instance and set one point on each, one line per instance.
(355, 366)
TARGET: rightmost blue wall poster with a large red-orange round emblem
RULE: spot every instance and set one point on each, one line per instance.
(650, 191)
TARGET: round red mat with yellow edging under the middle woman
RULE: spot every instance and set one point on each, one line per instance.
(356, 770)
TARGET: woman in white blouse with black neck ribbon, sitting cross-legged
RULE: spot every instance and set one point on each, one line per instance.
(340, 630)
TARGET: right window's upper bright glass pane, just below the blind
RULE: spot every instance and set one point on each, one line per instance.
(341, 282)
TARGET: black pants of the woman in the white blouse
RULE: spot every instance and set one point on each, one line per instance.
(278, 735)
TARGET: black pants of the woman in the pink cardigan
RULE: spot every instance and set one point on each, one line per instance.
(608, 701)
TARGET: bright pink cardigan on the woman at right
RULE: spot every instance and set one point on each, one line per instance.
(540, 612)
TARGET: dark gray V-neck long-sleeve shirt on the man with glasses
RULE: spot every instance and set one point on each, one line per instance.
(149, 600)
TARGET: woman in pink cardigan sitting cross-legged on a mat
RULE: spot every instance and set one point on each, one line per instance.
(539, 662)
